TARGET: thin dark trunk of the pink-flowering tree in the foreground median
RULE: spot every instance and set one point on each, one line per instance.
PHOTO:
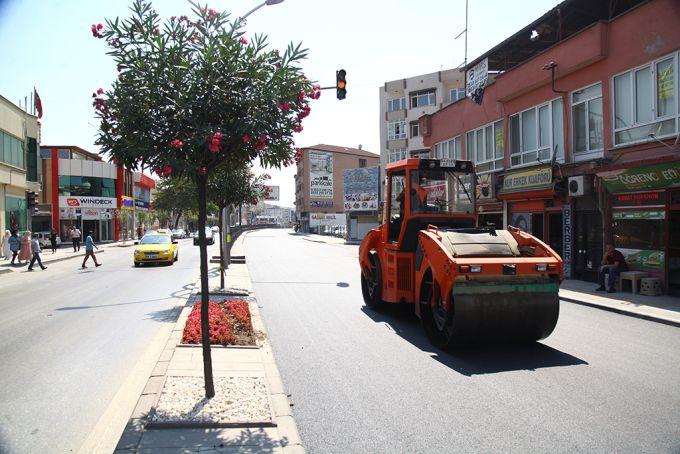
(201, 183)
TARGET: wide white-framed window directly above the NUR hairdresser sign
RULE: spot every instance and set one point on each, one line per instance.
(537, 134)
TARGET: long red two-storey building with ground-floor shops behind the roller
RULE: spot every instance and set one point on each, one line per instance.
(575, 138)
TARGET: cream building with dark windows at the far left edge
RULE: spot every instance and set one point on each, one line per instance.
(19, 171)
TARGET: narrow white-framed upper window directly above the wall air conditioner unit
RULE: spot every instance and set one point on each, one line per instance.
(586, 114)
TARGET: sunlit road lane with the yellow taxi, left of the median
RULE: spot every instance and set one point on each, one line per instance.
(69, 339)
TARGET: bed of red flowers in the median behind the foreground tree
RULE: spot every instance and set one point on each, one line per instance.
(229, 322)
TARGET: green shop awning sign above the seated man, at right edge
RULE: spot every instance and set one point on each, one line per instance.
(640, 178)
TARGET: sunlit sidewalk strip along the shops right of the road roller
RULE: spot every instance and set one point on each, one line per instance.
(663, 309)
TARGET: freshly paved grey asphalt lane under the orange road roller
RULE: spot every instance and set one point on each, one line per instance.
(367, 382)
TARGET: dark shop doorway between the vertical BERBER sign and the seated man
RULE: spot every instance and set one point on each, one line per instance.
(587, 244)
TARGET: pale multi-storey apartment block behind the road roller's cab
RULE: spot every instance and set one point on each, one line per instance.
(403, 101)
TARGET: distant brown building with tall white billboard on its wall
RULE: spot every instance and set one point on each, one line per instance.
(319, 199)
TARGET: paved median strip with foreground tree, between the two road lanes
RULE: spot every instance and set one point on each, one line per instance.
(275, 433)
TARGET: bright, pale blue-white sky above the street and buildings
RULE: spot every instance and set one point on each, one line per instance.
(48, 44)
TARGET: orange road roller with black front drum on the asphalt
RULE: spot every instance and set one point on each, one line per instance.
(466, 283)
